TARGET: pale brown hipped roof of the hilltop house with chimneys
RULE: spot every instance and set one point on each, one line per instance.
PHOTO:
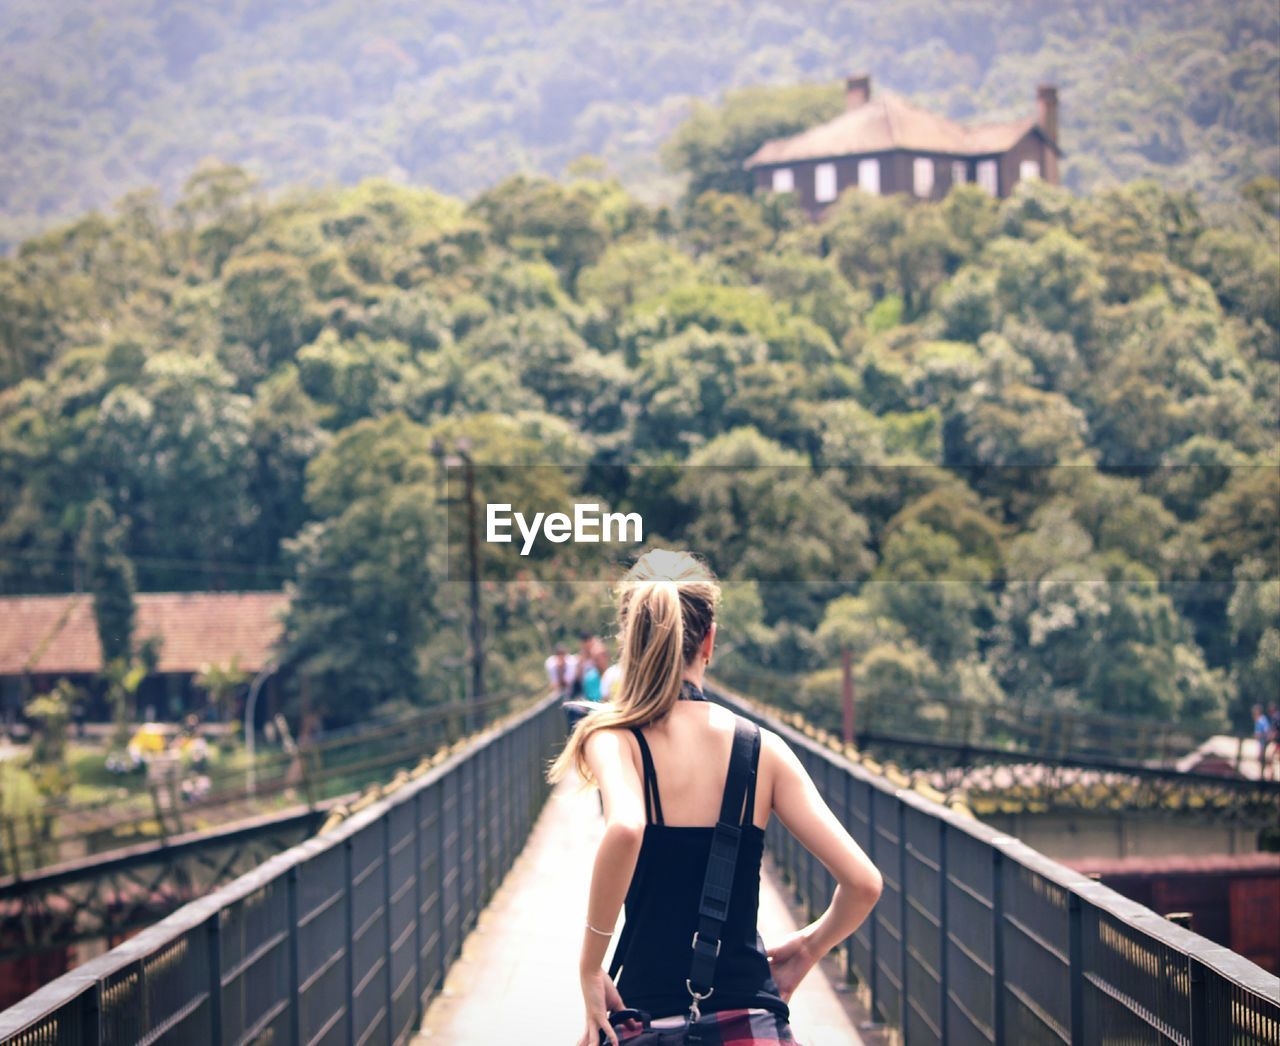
(890, 124)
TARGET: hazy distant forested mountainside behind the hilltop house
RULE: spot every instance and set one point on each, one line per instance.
(124, 95)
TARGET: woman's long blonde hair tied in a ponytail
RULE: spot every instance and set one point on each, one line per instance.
(666, 607)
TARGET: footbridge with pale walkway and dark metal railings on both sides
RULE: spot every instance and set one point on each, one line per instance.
(449, 911)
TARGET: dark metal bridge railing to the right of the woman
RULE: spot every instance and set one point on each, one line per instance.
(977, 938)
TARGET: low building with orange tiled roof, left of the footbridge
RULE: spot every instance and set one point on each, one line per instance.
(48, 638)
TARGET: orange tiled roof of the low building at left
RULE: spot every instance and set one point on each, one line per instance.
(57, 634)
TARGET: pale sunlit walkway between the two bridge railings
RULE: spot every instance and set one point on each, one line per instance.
(518, 978)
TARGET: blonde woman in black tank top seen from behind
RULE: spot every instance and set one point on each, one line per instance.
(660, 753)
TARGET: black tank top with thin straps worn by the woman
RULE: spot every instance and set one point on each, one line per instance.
(656, 948)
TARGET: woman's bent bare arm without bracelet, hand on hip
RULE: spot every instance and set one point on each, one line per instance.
(858, 884)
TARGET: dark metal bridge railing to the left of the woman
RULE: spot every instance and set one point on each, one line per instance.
(342, 939)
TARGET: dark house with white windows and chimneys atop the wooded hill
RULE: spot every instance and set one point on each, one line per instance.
(889, 145)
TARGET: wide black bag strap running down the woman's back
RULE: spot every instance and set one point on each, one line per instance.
(737, 811)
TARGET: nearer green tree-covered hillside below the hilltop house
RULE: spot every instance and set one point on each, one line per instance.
(1004, 451)
